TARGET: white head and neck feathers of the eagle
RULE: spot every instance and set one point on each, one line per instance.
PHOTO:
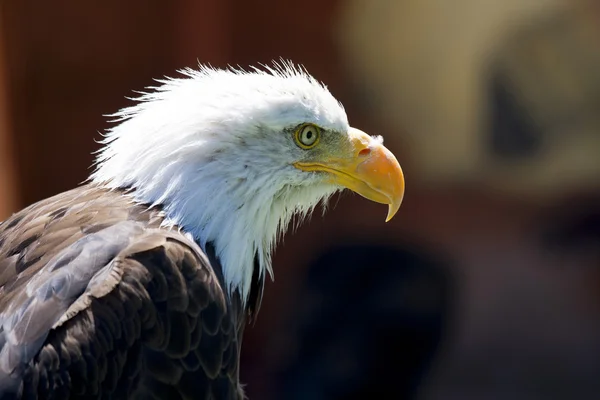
(215, 150)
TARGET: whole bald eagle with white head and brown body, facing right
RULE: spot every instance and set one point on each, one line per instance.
(138, 283)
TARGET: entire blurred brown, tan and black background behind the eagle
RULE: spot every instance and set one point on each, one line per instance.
(486, 285)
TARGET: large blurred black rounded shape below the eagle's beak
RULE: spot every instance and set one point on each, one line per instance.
(374, 334)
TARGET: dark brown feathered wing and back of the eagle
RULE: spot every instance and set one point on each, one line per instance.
(97, 300)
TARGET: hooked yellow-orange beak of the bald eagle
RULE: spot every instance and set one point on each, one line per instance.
(370, 170)
